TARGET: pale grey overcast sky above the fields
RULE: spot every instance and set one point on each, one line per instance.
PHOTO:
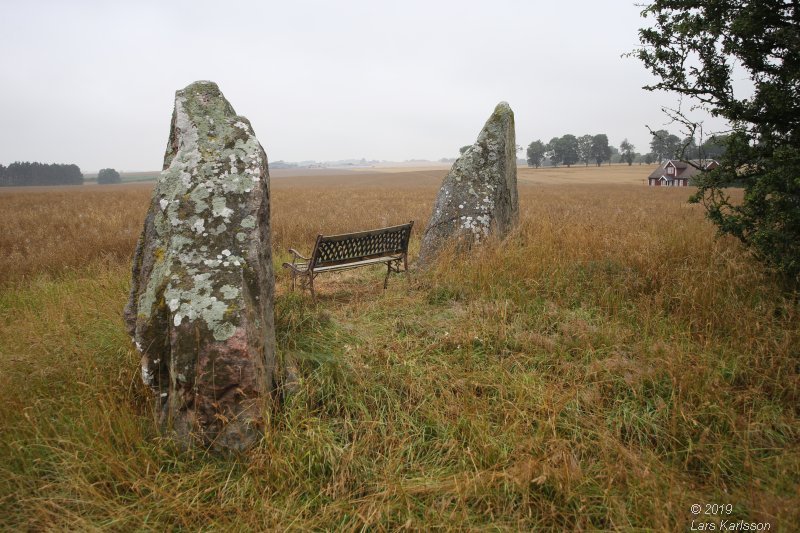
(93, 83)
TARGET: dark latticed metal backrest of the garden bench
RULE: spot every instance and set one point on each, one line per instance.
(350, 247)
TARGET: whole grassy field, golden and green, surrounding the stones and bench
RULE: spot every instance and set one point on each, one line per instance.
(609, 365)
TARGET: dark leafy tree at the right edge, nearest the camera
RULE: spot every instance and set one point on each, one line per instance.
(692, 48)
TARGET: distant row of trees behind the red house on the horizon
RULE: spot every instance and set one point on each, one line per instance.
(569, 150)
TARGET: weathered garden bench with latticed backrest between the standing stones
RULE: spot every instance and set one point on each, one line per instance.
(353, 250)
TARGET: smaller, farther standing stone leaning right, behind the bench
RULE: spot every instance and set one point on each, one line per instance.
(479, 195)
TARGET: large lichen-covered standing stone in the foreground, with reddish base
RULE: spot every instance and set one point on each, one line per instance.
(201, 302)
